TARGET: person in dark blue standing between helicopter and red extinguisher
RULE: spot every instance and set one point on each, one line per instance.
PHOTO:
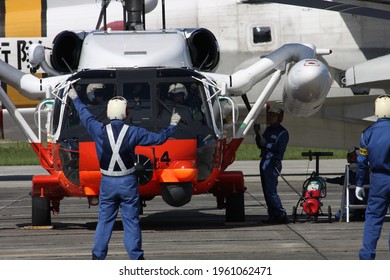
(273, 144)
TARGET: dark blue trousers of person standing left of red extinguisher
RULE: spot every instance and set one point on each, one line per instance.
(269, 180)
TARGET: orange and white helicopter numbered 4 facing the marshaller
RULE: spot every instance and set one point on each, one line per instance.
(148, 67)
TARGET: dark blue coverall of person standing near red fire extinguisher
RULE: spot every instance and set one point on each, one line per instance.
(276, 138)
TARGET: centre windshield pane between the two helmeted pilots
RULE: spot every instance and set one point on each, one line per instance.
(138, 101)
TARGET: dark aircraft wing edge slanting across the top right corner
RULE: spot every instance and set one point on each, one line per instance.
(376, 9)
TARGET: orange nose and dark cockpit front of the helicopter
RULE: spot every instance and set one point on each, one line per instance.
(189, 163)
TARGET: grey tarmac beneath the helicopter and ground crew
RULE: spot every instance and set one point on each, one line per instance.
(196, 231)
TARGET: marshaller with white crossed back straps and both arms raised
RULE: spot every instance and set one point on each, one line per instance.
(115, 144)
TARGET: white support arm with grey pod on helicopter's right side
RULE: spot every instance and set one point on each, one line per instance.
(307, 83)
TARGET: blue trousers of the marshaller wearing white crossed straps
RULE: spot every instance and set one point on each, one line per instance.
(118, 192)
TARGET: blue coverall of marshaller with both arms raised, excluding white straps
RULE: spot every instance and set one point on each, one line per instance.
(118, 191)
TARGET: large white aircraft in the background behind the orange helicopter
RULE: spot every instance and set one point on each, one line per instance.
(355, 31)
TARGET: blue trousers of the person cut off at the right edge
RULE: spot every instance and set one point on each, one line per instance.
(378, 204)
